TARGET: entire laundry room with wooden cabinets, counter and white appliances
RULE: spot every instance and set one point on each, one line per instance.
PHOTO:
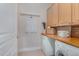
(39, 29)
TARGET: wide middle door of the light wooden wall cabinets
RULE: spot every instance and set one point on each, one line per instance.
(64, 14)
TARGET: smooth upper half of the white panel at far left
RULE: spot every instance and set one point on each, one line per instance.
(7, 17)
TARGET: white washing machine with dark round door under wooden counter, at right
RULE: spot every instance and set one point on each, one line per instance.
(63, 49)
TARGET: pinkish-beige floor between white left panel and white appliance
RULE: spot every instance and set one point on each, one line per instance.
(31, 53)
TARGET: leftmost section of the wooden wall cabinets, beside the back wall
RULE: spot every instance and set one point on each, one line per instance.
(53, 15)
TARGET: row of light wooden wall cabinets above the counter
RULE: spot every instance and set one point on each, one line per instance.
(63, 14)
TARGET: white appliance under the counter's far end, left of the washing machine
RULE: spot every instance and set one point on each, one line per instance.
(48, 46)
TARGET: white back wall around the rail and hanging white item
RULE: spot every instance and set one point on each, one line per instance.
(36, 9)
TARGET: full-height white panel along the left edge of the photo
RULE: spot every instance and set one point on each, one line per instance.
(8, 29)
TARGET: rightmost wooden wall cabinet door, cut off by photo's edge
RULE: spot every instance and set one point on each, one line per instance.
(75, 14)
